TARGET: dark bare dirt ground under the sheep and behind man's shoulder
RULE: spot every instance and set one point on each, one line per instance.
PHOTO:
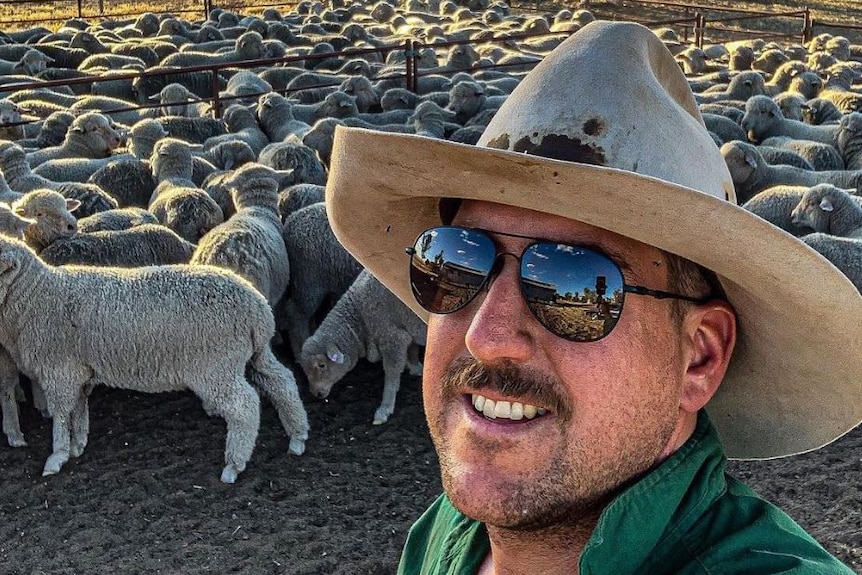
(145, 496)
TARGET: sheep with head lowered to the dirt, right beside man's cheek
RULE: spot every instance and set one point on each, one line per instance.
(368, 321)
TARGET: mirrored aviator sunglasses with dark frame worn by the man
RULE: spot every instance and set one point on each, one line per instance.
(576, 292)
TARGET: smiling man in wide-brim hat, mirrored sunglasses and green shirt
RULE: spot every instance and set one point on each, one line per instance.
(572, 444)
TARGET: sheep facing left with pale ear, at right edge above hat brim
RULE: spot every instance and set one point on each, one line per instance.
(825, 208)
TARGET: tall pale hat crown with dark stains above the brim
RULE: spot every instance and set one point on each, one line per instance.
(612, 95)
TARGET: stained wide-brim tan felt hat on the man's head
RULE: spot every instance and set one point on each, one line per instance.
(605, 131)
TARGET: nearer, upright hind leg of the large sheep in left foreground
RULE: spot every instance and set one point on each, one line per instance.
(239, 405)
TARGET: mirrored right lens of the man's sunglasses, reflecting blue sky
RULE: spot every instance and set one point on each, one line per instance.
(574, 292)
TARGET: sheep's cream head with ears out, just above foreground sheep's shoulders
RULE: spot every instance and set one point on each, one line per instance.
(52, 214)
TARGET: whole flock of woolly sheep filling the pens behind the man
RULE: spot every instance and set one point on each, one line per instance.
(158, 248)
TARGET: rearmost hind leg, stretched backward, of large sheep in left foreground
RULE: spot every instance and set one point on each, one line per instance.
(277, 384)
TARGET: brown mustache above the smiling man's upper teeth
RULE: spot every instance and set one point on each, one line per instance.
(506, 379)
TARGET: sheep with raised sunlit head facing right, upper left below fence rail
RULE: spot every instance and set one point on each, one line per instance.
(91, 135)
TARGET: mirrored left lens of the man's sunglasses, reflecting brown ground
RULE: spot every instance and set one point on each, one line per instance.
(449, 266)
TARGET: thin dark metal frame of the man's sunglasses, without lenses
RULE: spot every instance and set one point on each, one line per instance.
(495, 266)
